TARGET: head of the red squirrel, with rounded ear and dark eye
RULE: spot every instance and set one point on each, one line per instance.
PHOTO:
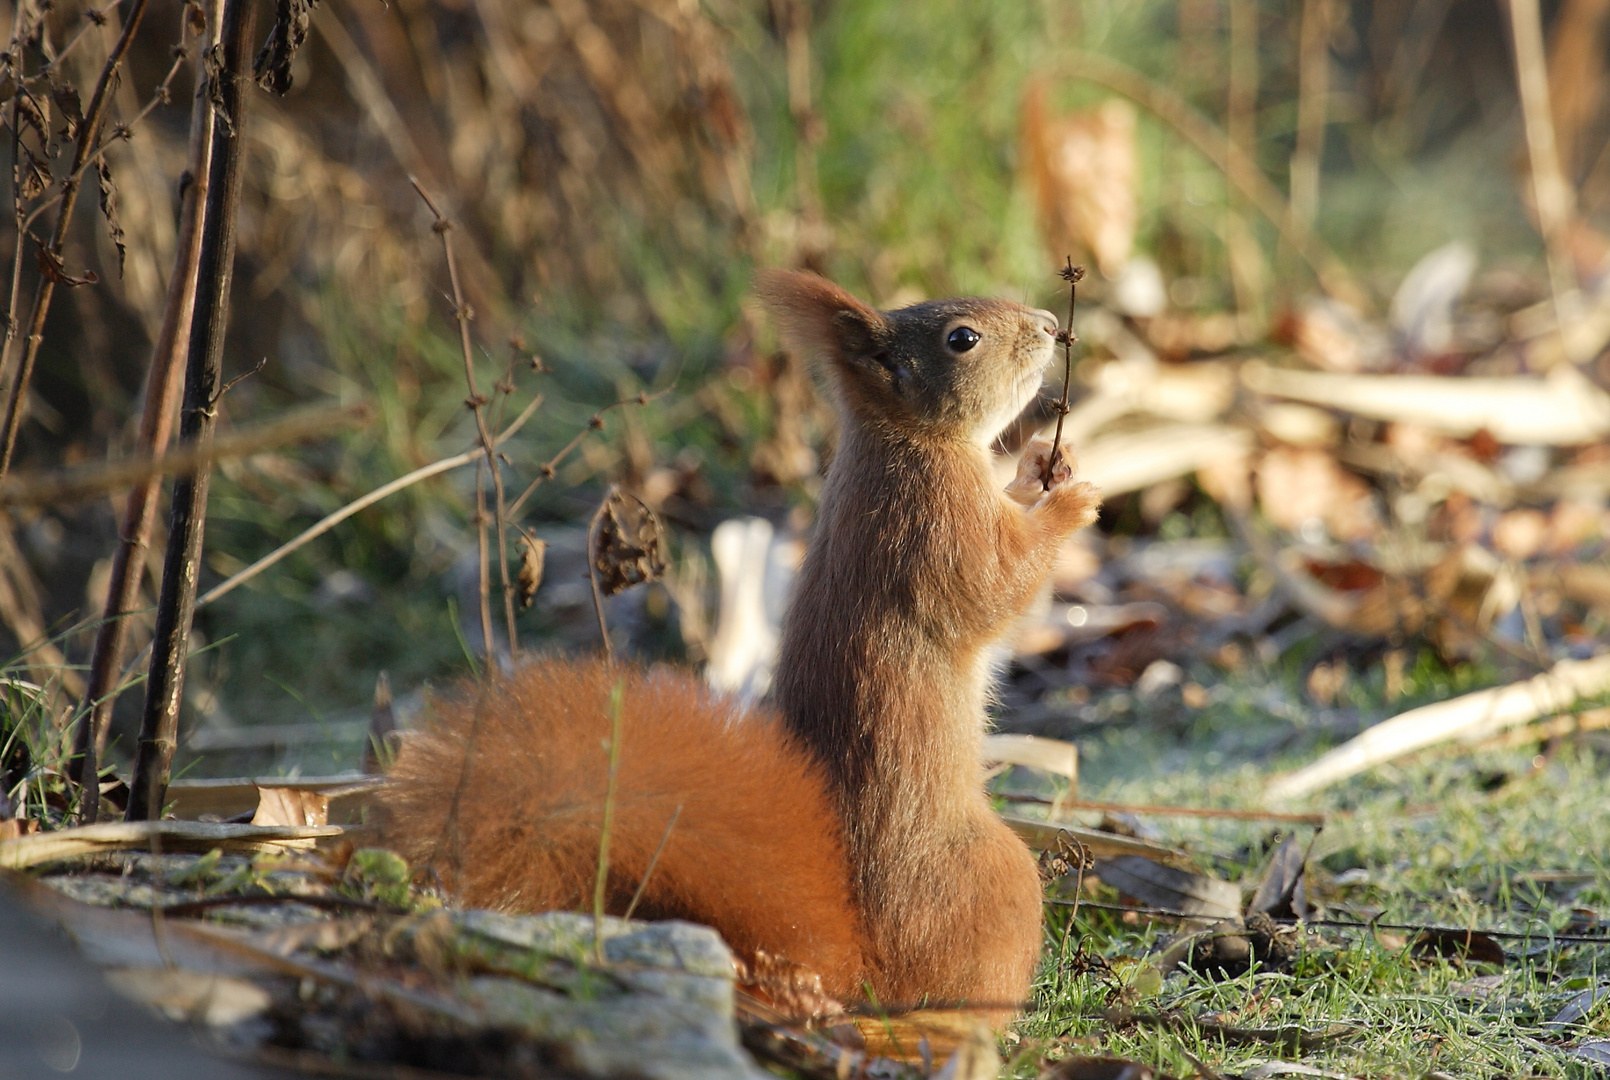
(944, 368)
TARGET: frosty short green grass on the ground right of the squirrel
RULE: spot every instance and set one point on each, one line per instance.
(1442, 841)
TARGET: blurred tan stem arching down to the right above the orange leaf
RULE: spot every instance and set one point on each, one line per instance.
(1210, 141)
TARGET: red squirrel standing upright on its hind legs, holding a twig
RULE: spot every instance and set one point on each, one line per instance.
(841, 826)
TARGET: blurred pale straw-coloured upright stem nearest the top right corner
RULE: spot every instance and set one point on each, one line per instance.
(1551, 192)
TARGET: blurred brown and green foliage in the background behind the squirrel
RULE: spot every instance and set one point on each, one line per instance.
(616, 170)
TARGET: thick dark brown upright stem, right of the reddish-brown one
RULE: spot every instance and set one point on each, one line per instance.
(204, 377)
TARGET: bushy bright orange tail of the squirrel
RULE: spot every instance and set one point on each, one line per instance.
(502, 796)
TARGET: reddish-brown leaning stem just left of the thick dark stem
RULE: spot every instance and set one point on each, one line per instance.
(162, 390)
